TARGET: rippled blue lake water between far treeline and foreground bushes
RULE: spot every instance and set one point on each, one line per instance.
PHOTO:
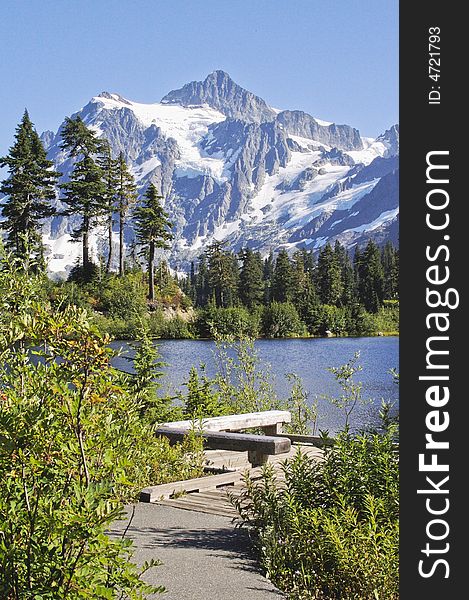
(308, 358)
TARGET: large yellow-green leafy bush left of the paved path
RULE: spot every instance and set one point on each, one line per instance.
(73, 447)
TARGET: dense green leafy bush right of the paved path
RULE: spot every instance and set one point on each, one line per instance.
(331, 531)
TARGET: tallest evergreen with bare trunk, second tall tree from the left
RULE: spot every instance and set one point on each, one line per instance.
(85, 193)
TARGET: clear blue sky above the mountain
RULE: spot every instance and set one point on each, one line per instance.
(336, 59)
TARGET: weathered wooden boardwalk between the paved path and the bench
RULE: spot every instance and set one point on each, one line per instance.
(211, 494)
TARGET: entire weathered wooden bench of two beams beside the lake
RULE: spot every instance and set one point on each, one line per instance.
(222, 433)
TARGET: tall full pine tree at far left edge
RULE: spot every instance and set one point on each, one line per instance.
(29, 189)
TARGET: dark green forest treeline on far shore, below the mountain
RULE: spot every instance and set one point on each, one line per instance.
(296, 295)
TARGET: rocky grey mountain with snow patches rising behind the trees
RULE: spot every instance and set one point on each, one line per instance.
(230, 167)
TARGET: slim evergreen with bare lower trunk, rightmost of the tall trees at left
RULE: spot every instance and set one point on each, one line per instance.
(153, 230)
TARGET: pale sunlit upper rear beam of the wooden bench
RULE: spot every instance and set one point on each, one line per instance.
(239, 422)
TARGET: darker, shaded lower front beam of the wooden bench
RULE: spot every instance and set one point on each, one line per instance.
(262, 444)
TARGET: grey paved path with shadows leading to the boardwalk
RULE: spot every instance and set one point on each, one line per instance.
(204, 557)
